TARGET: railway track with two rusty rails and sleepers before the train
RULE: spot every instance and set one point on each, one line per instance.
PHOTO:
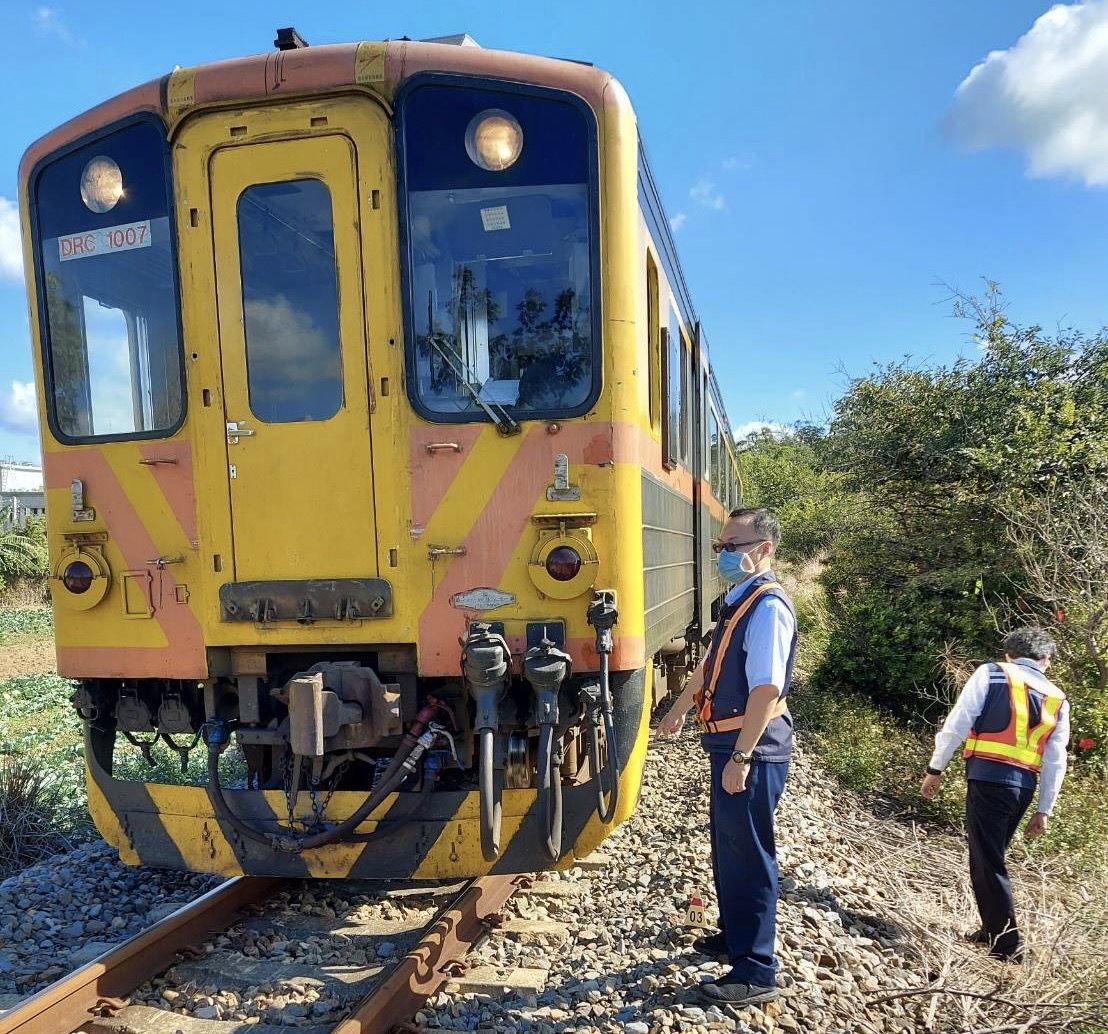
(95, 999)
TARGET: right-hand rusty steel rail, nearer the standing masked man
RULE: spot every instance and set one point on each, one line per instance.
(423, 971)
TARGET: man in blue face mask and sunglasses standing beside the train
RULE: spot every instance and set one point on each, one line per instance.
(741, 694)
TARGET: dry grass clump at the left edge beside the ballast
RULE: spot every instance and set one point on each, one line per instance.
(32, 803)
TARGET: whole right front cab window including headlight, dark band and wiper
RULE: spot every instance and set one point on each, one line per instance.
(501, 257)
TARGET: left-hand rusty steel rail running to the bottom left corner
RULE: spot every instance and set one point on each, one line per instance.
(68, 1004)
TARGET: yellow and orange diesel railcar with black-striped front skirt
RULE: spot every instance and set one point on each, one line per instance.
(383, 457)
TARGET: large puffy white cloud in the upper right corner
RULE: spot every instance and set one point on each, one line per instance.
(1047, 96)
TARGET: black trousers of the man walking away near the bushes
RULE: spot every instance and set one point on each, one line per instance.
(993, 815)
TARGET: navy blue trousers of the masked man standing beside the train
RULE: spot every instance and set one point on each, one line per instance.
(744, 864)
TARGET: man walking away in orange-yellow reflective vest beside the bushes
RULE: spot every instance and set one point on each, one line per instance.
(1015, 723)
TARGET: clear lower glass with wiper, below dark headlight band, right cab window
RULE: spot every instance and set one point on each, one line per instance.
(501, 299)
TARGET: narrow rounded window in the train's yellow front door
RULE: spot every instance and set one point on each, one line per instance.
(291, 312)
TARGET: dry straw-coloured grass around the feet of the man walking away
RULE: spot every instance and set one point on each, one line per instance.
(925, 878)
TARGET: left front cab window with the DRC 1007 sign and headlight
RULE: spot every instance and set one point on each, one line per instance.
(107, 278)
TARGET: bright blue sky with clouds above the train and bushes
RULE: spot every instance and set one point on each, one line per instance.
(823, 172)
